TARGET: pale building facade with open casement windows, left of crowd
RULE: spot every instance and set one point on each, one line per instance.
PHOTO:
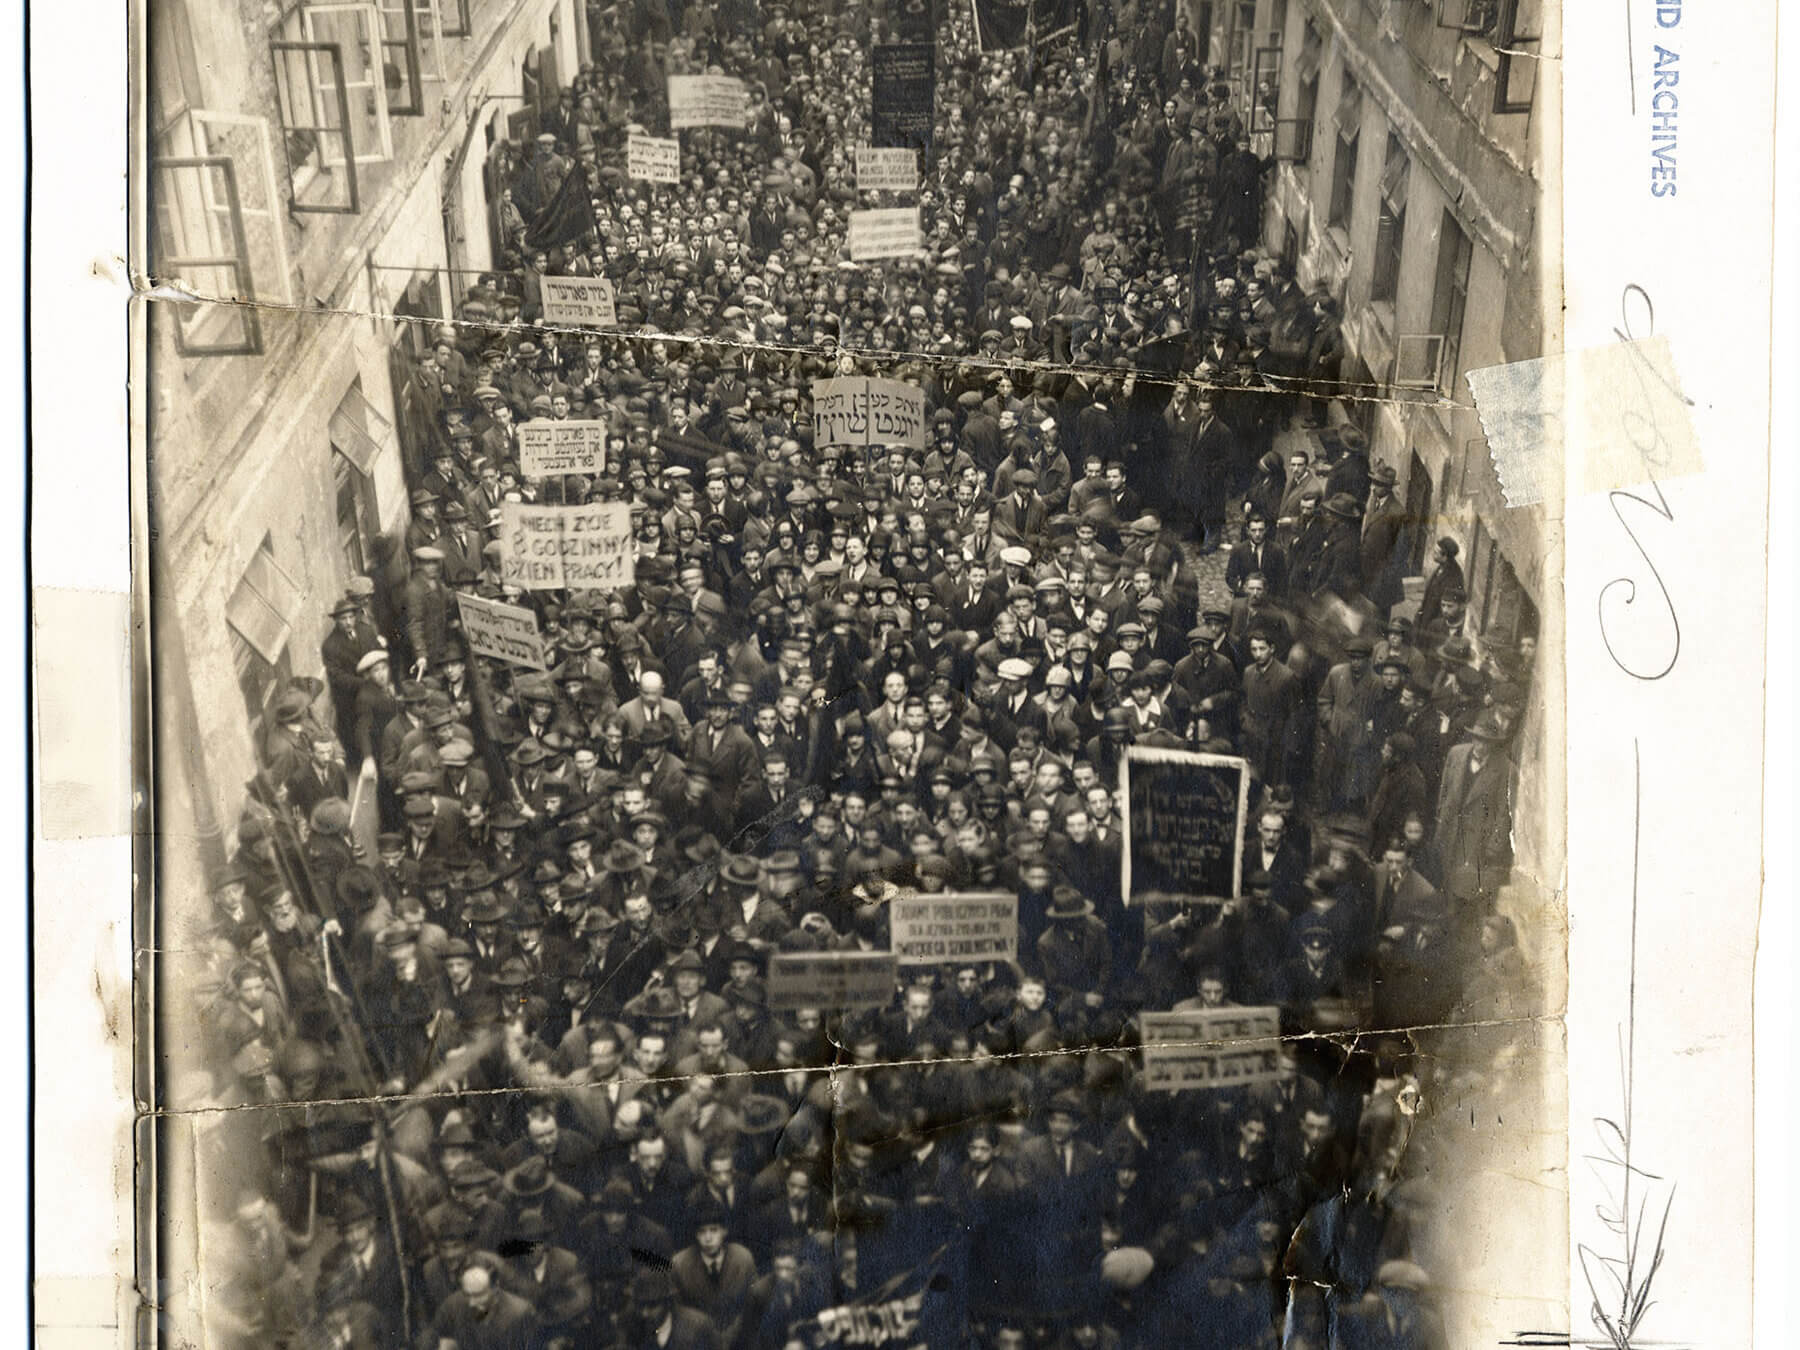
(319, 206)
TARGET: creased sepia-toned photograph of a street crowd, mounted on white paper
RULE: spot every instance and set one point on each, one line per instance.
(849, 672)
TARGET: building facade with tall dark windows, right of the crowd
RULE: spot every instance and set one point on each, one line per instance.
(1410, 183)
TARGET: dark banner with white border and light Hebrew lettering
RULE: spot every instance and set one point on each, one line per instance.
(1183, 823)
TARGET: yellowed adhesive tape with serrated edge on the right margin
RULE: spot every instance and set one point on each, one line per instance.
(1610, 417)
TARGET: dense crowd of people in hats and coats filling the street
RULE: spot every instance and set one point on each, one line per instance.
(519, 1072)
